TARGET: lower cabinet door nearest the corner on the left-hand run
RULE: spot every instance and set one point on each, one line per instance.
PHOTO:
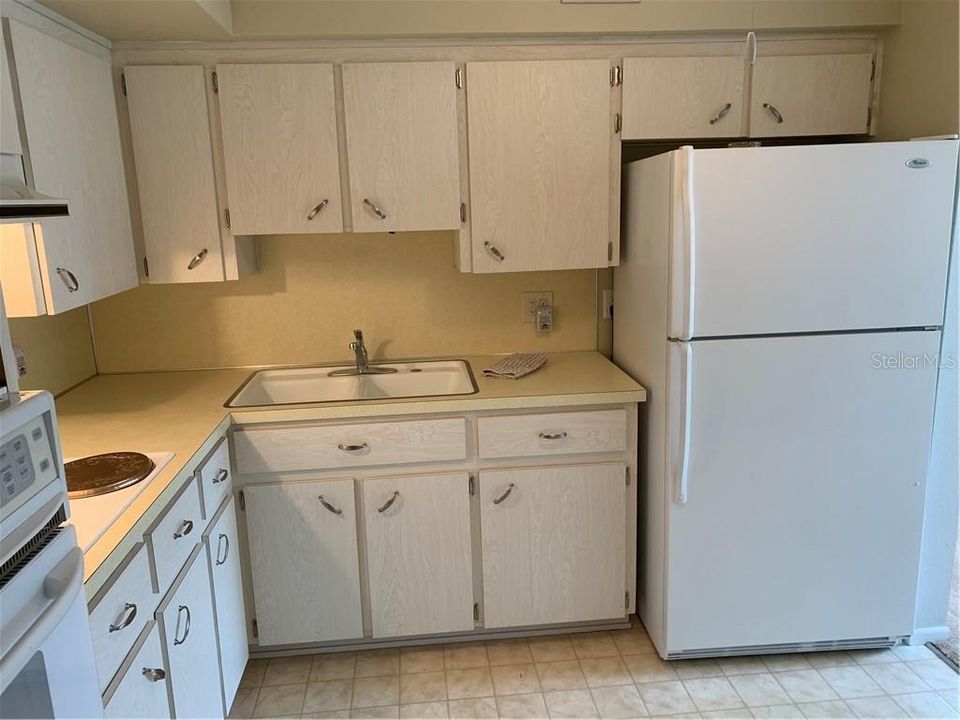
(222, 553)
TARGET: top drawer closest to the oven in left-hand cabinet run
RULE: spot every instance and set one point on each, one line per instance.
(120, 611)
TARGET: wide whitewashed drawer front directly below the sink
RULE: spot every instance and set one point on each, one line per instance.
(311, 447)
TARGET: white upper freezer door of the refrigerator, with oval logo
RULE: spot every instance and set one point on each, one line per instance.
(811, 238)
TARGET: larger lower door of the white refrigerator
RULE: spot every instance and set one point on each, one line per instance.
(801, 516)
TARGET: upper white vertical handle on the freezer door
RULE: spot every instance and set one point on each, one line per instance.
(684, 249)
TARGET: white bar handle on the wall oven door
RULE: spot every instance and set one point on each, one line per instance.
(61, 586)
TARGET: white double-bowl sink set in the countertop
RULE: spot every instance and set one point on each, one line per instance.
(291, 386)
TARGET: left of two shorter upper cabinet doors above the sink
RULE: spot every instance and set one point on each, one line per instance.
(280, 148)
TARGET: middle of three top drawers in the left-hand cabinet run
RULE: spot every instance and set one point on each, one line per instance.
(173, 535)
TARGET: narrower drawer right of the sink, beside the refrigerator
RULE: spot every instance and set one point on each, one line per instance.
(553, 433)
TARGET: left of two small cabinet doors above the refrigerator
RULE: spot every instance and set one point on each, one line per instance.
(683, 97)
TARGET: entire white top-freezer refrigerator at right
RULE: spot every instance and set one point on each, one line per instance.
(783, 308)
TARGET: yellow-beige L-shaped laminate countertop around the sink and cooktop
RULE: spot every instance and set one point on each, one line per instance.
(183, 412)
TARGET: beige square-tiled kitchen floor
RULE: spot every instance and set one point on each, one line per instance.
(602, 674)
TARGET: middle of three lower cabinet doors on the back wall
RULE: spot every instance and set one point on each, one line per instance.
(418, 554)
